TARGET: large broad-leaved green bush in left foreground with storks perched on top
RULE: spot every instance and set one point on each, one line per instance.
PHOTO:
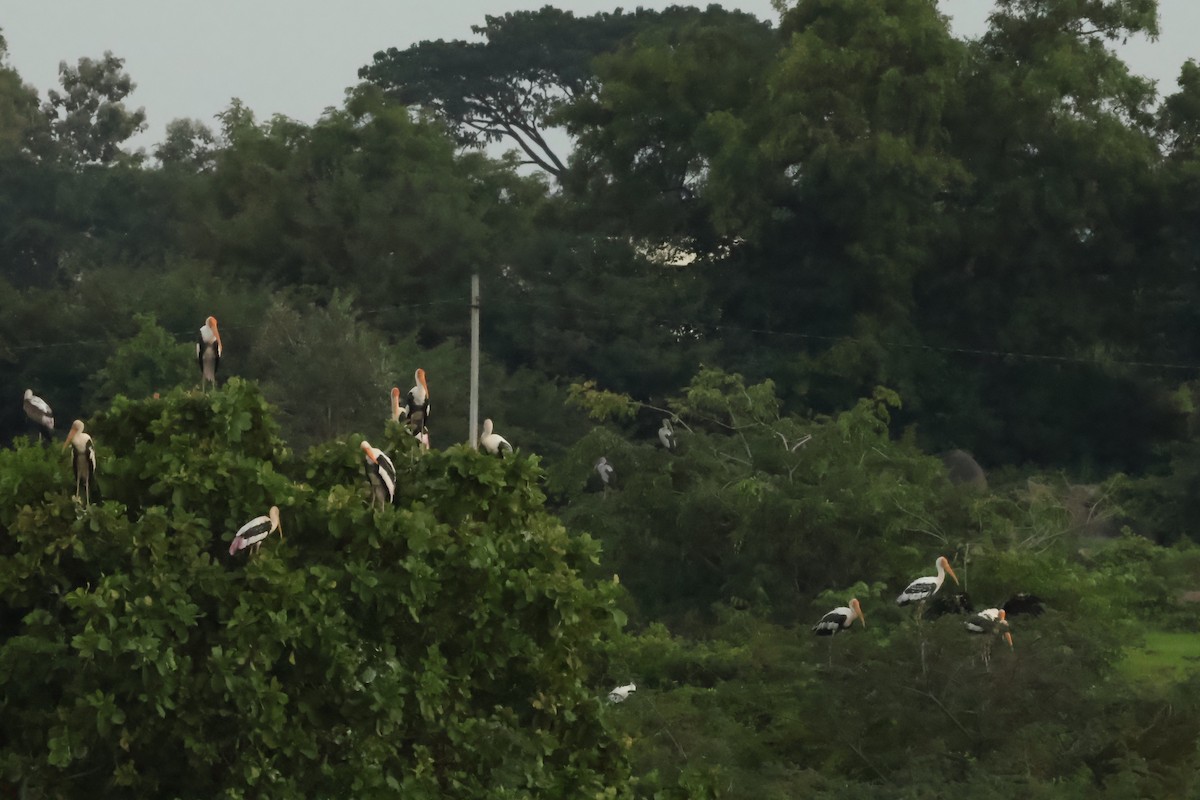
(445, 647)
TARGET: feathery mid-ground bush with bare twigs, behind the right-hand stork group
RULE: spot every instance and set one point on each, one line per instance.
(758, 509)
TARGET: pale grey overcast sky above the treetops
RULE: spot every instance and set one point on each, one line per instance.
(297, 57)
